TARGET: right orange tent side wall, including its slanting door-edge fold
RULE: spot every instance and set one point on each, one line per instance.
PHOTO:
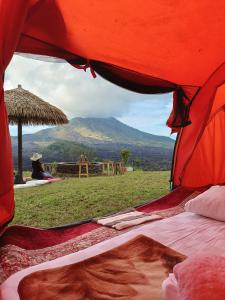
(208, 100)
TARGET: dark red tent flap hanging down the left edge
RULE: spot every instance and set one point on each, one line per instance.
(12, 19)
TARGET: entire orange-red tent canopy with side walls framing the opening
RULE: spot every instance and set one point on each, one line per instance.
(145, 46)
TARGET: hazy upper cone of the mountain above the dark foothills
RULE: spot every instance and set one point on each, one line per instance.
(94, 131)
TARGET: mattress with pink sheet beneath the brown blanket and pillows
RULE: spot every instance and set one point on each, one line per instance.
(187, 233)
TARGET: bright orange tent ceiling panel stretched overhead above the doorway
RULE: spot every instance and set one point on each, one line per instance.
(178, 41)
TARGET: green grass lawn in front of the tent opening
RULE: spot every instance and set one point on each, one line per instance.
(77, 199)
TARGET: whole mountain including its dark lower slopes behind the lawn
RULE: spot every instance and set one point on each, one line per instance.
(99, 138)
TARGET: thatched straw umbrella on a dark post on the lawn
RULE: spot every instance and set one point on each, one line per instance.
(24, 108)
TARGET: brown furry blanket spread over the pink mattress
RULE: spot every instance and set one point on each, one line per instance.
(134, 271)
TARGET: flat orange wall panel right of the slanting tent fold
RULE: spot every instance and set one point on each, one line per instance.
(208, 155)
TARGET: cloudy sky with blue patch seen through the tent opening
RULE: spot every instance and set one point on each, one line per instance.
(78, 94)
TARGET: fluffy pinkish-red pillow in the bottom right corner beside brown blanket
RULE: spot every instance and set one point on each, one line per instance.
(196, 278)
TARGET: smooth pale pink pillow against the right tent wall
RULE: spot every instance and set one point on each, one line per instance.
(210, 204)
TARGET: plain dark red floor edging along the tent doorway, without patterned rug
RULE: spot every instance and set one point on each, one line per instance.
(33, 238)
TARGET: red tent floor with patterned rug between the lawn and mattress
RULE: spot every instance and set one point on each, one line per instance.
(22, 247)
